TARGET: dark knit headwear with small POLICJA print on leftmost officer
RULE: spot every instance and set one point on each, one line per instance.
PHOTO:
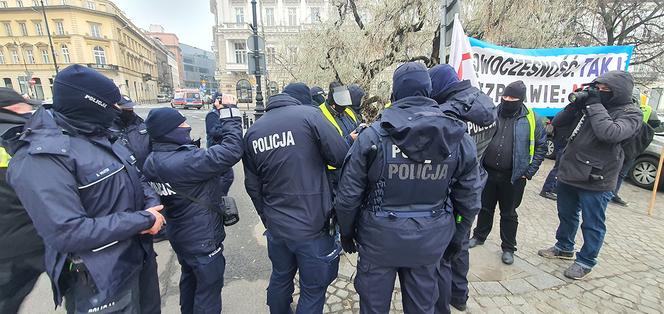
(83, 94)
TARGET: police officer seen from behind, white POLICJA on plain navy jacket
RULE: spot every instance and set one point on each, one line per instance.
(286, 151)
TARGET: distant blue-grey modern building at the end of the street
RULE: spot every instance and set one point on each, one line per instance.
(199, 67)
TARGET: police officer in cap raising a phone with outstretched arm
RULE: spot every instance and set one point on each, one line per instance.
(187, 179)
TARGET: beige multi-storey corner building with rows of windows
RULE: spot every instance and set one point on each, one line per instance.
(93, 33)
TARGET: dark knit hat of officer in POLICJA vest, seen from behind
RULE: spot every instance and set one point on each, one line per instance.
(411, 79)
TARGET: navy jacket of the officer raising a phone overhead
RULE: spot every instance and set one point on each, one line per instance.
(194, 228)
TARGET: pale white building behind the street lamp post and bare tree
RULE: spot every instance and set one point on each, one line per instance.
(279, 22)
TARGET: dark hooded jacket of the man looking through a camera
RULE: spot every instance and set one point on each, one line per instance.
(594, 155)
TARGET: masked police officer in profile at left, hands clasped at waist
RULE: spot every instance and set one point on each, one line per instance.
(88, 203)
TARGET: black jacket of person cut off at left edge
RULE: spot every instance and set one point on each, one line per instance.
(17, 233)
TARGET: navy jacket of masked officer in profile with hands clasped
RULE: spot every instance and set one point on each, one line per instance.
(86, 198)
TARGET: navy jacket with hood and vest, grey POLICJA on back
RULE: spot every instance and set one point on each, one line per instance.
(397, 180)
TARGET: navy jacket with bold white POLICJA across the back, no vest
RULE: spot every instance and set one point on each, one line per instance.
(286, 154)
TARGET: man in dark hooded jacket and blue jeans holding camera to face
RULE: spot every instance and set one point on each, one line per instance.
(590, 164)
